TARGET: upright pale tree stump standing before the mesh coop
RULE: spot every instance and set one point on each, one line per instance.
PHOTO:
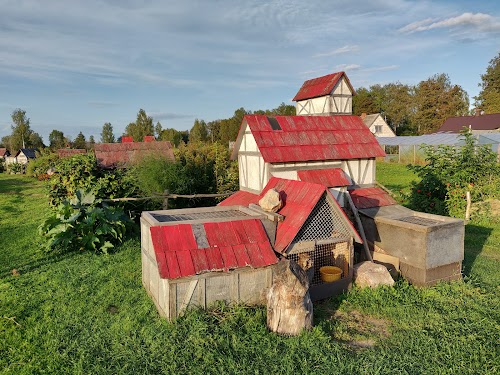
(289, 306)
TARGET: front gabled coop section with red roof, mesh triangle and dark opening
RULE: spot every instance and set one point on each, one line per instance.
(314, 225)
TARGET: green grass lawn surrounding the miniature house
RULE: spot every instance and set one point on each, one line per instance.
(88, 314)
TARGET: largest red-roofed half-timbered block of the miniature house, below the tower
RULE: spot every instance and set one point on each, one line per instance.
(283, 145)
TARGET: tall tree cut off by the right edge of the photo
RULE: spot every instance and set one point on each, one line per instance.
(488, 99)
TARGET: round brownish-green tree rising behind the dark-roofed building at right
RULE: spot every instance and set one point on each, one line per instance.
(436, 99)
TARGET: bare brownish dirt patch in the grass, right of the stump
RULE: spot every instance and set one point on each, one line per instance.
(358, 330)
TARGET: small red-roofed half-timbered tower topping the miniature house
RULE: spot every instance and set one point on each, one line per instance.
(325, 96)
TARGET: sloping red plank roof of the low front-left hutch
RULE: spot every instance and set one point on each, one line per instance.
(231, 245)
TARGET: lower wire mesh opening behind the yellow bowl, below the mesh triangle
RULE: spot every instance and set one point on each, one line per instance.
(331, 254)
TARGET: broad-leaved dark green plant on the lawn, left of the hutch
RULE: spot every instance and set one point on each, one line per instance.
(85, 223)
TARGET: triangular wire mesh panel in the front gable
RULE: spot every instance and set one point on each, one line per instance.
(323, 223)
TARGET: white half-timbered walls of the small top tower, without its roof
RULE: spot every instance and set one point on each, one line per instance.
(338, 102)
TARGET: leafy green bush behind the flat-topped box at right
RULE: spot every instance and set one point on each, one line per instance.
(449, 173)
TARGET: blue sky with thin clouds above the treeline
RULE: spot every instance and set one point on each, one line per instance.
(74, 65)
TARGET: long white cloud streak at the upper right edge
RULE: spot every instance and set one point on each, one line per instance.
(480, 21)
